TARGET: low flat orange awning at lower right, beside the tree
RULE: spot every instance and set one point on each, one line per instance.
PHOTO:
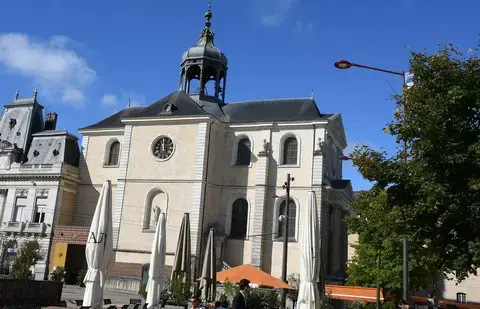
(353, 293)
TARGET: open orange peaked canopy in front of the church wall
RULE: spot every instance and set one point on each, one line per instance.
(255, 275)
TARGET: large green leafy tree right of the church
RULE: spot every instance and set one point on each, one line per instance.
(431, 191)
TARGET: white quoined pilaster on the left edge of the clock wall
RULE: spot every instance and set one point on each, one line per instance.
(120, 192)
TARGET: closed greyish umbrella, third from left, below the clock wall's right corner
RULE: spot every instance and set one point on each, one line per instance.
(182, 265)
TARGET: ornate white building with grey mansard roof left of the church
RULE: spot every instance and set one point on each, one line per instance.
(38, 179)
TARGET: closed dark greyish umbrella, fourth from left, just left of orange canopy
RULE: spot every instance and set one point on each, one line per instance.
(208, 281)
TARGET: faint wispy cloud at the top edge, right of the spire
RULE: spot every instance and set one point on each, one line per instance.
(274, 12)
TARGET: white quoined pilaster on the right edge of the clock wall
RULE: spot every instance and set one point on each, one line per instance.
(198, 193)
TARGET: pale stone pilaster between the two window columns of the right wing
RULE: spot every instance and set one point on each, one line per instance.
(261, 189)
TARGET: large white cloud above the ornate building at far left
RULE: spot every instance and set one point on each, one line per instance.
(52, 65)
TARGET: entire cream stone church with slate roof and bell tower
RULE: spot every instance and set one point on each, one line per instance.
(224, 164)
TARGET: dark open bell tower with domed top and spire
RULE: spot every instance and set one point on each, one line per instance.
(203, 71)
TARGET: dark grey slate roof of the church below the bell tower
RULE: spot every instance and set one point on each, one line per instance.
(181, 104)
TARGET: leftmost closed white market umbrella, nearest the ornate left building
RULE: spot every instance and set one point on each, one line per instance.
(99, 249)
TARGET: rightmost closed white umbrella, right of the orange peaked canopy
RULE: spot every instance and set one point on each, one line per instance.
(308, 294)
